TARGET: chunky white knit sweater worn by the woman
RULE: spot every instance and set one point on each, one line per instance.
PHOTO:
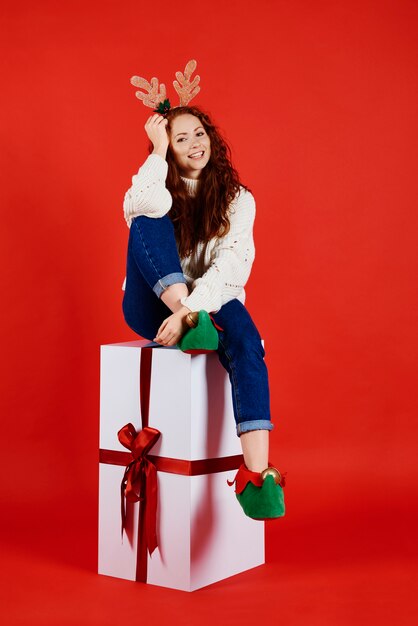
(218, 270)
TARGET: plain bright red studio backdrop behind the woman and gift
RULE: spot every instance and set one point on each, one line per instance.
(318, 101)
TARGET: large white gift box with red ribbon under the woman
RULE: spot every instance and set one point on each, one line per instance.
(203, 534)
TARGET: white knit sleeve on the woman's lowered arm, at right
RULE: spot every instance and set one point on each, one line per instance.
(231, 260)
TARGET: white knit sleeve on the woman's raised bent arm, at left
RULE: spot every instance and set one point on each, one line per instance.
(148, 194)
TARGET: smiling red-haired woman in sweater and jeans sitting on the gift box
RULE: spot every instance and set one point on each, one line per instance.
(191, 250)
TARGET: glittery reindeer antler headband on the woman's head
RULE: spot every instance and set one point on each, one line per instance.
(157, 97)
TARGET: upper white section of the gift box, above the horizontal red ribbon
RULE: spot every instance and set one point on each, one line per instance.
(190, 401)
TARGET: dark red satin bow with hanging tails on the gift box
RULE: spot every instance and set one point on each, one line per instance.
(139, 482)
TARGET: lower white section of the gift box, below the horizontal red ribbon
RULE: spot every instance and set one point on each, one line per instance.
(202, 532)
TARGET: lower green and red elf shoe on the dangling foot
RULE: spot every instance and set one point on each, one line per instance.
(260, 494)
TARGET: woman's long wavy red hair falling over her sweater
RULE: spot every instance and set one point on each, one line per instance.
(206, 215)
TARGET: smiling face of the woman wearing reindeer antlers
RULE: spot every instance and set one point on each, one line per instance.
(190, 145)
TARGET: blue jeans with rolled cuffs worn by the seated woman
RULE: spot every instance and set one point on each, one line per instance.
(152, 265)
